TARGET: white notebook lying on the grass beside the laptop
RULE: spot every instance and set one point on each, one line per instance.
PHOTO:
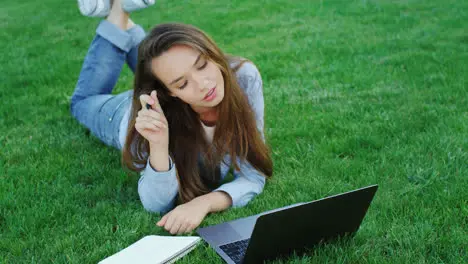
(154, 249)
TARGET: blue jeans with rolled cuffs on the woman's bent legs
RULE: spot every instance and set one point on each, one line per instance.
(92, 103)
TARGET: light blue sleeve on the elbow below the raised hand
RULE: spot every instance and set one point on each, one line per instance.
(158, 190)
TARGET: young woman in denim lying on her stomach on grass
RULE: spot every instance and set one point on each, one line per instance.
(194, 114)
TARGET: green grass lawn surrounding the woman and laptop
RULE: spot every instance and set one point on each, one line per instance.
(356, 93)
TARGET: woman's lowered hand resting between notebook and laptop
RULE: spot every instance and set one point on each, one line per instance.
(185, 217)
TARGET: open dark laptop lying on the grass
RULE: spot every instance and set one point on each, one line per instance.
(297, 227)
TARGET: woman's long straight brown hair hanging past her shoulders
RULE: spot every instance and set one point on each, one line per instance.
(236, 133)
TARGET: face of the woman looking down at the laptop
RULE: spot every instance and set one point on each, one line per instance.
(190, 76)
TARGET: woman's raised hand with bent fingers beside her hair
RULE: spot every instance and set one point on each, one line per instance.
(152, 123)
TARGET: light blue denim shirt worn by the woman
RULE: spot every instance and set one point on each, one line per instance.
(158, 190)
